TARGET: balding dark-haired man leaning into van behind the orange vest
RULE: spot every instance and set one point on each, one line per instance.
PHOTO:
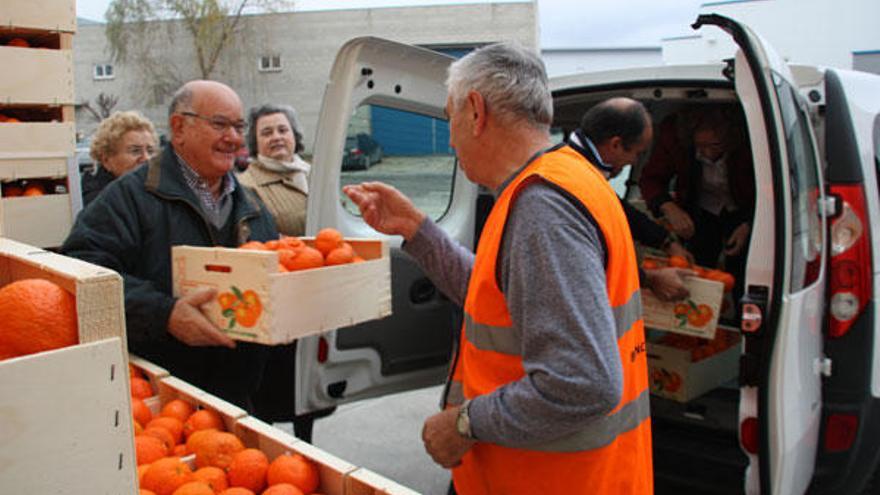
(614, 133)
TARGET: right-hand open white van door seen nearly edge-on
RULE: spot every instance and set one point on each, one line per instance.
(782, 363)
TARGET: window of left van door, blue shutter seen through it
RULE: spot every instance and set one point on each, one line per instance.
(404, 149)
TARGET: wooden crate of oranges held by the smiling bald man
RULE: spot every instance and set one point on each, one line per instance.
(275, 292)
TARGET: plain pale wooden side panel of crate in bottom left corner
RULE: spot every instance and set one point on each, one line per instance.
(64, 422)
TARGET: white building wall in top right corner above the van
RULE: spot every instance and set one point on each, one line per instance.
(814, 32)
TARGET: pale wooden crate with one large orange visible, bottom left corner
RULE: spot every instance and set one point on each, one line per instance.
(63, 376)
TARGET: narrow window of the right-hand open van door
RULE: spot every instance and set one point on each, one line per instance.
(807, 235)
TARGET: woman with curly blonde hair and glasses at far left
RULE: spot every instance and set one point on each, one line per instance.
(122, 141)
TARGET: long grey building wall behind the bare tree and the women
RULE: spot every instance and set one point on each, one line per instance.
(307, 42)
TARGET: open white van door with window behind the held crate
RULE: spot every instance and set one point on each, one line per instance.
(395, 95)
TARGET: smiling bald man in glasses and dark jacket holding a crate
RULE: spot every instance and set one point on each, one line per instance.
(186, 195)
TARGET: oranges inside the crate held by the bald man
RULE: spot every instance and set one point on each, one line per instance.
(294, 254)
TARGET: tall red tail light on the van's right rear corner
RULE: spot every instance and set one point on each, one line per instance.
(851, 267)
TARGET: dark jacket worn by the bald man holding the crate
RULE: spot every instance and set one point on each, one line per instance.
(130, 228)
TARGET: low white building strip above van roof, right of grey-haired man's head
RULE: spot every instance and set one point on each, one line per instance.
(560, 62)
